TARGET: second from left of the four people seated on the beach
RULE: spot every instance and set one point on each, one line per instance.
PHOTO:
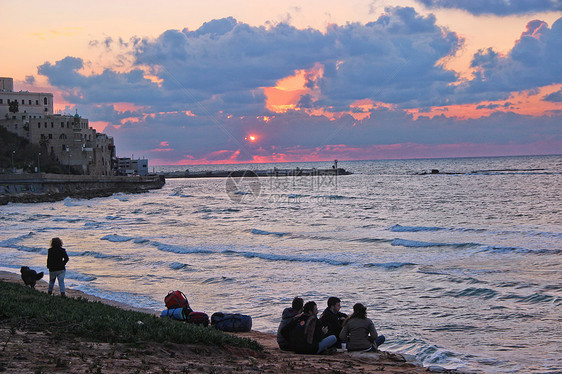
(306, 335)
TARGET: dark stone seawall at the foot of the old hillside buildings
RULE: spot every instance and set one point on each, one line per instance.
(42, 187)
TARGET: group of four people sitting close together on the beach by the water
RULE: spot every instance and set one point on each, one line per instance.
(302, 331)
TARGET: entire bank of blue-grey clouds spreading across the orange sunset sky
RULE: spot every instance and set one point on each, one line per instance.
(218, 73)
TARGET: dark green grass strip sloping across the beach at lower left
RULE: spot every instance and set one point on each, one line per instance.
(27, 309)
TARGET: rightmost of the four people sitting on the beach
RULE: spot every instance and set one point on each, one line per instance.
(359, 331)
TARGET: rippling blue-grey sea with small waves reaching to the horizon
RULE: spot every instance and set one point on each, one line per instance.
(461, 269)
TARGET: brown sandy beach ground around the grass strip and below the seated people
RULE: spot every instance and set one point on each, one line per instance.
(28, 351)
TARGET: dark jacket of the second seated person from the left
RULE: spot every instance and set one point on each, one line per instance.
(306, 333)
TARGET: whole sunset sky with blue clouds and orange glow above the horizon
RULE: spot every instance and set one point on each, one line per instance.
(231, 81)
